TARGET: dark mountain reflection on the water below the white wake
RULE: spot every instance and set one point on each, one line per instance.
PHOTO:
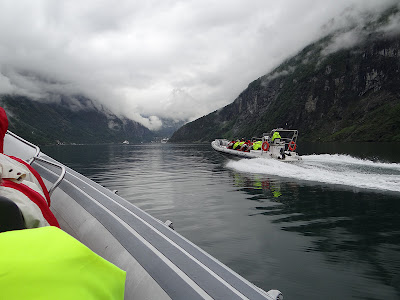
(354, 229)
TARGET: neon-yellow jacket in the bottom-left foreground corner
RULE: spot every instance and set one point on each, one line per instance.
(46, 263)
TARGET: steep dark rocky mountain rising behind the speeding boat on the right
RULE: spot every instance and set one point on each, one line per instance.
(344, 87)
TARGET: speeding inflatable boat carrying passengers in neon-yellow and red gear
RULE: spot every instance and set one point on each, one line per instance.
(279, 144)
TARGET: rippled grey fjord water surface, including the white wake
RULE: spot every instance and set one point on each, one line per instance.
(327, 227)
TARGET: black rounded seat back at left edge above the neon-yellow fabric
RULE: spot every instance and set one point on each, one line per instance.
(10, 215)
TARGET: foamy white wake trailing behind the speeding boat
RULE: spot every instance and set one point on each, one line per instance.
(328, 169)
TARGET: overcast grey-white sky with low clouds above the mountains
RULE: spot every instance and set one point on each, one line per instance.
(159, 58)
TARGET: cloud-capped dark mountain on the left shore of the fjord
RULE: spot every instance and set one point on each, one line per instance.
(70, 120)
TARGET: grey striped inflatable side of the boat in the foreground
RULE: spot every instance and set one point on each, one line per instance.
(159, 262)
